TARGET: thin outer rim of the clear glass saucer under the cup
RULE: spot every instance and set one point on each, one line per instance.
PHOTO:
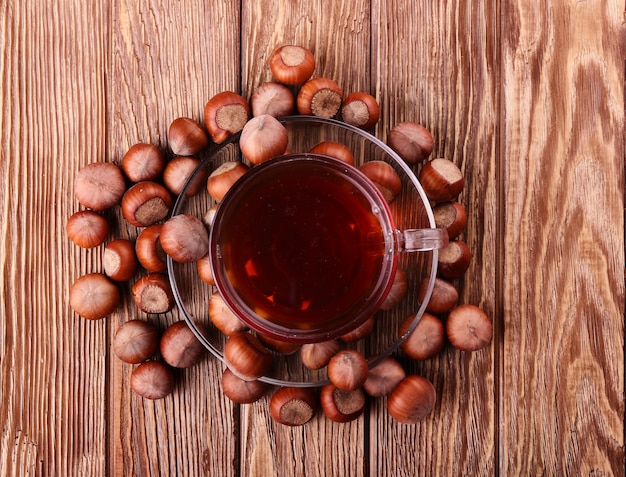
(373, 360)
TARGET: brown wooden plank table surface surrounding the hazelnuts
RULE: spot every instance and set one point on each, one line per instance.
(526, 97)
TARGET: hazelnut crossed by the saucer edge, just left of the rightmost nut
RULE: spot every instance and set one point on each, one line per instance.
(426, 340)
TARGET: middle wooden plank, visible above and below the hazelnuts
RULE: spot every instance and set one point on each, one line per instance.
(338, 33)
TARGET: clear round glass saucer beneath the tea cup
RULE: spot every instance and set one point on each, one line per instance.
(410, 209)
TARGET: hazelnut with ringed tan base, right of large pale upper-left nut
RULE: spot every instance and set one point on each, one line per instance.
(146, 203)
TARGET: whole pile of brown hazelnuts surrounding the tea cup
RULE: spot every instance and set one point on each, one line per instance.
(144, 185)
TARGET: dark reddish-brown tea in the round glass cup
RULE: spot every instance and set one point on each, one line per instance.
(302, 244)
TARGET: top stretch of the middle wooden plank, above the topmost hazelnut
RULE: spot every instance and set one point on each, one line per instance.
(338, 34)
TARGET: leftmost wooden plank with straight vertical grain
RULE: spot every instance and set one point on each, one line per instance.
(52, 119)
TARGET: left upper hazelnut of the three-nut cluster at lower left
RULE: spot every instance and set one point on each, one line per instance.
(136, 341)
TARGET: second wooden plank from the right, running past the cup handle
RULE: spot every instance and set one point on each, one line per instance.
(437, 64)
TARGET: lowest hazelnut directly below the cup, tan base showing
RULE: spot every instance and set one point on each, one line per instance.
(293, 406)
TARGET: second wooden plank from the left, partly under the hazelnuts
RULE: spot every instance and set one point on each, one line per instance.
(168, 58)
